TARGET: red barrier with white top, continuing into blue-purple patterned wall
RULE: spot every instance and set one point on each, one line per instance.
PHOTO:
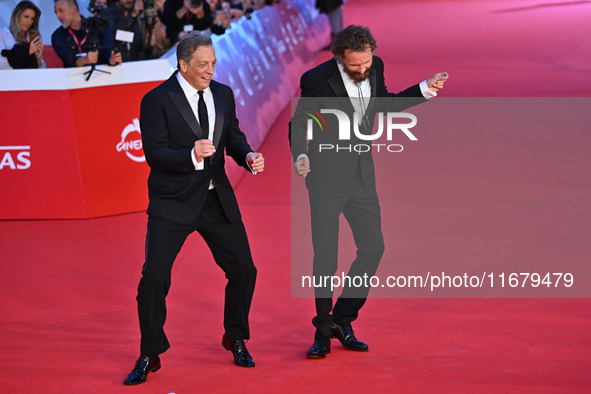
(71, 148)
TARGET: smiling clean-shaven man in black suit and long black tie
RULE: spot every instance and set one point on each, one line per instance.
(187, 123)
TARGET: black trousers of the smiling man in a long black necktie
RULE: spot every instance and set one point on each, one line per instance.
(229, 245)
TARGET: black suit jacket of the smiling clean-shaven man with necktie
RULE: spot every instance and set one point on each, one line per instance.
(169, 130)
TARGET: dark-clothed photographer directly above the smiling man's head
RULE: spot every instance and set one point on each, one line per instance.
(183, 16)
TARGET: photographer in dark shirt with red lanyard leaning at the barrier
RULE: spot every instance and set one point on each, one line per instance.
(81, 41)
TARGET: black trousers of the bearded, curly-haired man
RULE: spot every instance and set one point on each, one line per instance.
(362, 211)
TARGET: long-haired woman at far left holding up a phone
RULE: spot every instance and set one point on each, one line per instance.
(20, 43)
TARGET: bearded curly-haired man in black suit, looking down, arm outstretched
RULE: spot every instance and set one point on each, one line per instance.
(342, 181)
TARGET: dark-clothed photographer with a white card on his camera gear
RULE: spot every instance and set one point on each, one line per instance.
(125, 28)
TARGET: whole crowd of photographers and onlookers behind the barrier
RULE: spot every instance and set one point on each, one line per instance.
(115, 31)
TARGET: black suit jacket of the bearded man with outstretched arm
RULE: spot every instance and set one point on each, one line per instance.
(332, 171)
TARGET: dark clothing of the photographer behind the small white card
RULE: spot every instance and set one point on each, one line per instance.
(118, 21)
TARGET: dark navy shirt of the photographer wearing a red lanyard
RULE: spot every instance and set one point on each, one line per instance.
(68, 43)
